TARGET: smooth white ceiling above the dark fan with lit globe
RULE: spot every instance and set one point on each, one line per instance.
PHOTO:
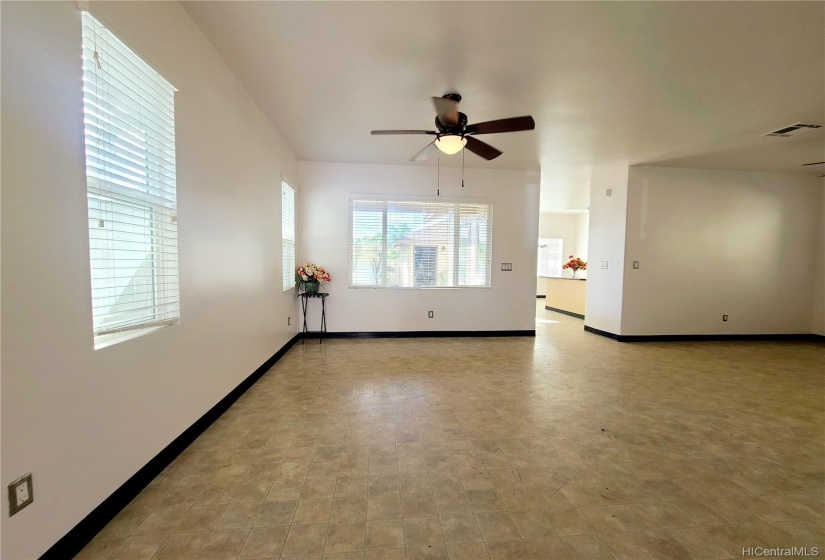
(688, 84)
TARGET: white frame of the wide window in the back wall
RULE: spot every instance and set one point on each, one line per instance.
(456, 240)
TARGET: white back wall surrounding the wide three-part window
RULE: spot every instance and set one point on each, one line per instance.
(323, 230)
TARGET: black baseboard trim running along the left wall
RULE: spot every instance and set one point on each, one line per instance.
(74, 541)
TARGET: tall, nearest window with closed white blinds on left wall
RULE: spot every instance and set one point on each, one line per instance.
(129, 119)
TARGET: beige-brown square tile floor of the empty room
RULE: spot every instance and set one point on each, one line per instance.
(568, 445)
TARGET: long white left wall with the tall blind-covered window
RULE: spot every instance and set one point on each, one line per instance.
(84, 421)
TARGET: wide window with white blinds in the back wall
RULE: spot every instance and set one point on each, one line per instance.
(420, 244)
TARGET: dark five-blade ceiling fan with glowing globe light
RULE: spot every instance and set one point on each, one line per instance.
(452, 132)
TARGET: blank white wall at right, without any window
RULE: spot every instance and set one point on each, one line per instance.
(716, 242)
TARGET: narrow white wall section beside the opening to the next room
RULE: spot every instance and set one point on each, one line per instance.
(606, 238)
